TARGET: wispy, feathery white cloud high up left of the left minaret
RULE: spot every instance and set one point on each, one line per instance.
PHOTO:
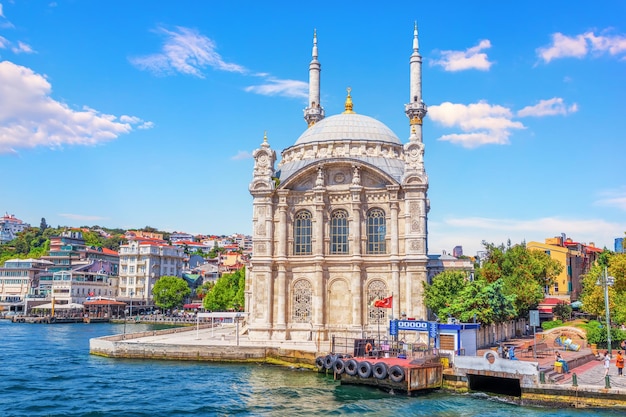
(185, 51)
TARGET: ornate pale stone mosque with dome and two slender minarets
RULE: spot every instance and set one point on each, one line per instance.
(339, 222)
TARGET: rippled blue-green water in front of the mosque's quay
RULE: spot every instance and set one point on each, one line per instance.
(46, 370)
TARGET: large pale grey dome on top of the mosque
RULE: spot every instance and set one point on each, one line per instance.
(348, 126)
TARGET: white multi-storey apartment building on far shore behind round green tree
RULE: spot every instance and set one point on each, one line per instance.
(142, 263)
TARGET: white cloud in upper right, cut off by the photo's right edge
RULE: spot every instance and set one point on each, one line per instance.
(579, 46)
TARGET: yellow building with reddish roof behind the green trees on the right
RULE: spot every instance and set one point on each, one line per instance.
(576, 259)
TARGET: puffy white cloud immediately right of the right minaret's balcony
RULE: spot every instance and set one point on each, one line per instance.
(481, 123)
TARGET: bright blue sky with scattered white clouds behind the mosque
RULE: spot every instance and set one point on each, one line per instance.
(127, 114)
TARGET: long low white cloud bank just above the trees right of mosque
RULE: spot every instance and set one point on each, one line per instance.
(469, 232)
